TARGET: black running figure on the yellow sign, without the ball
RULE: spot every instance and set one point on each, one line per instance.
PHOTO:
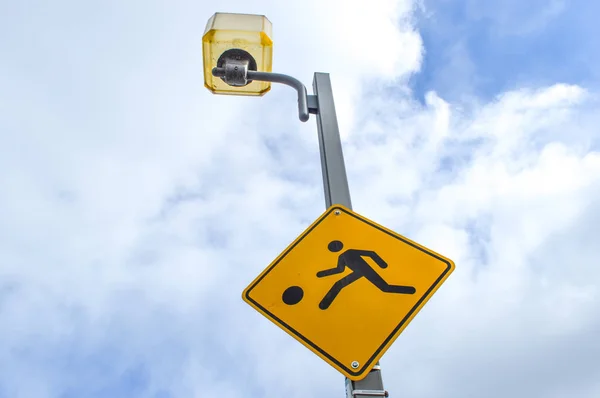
(354, 259)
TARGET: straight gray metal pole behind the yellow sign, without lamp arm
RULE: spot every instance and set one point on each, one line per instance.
(335, 184)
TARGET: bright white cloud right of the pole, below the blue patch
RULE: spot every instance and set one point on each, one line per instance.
(509, 189)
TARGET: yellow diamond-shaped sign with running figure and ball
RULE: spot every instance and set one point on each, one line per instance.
(347, 287)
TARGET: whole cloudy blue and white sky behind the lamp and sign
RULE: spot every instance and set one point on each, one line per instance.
(135, 206)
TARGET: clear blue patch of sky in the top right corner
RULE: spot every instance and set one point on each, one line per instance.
(483, 49)
